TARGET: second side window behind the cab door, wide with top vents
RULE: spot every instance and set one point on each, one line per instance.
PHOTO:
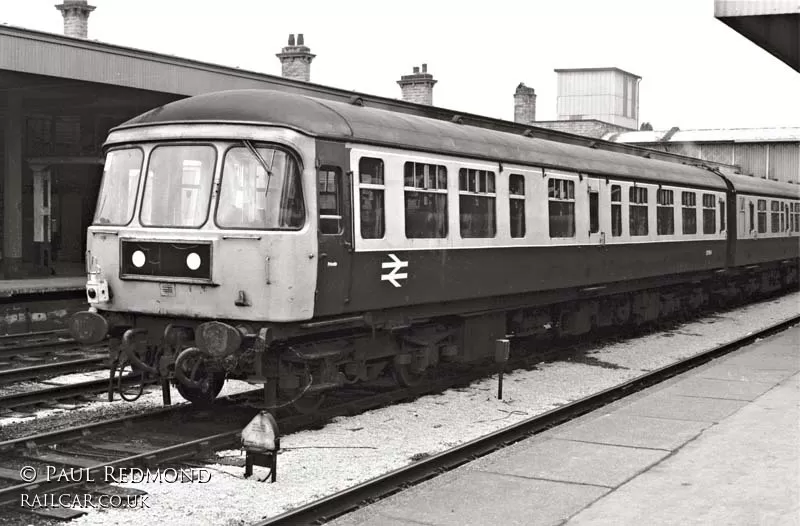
(425, 200)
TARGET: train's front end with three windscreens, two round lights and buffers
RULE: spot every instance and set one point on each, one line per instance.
(199, 243)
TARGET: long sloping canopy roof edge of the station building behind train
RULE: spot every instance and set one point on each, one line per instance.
(54, 55)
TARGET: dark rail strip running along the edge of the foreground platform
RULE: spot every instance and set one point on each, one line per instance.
(329, 508)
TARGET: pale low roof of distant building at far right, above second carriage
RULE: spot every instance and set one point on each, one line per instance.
(788, 134)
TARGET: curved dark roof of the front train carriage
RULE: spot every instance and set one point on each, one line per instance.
(355, 123)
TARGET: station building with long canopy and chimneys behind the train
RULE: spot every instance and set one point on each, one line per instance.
(61, 94)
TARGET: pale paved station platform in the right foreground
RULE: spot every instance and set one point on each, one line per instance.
(719, 444)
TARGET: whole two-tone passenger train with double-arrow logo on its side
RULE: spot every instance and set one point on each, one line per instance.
(306, 244)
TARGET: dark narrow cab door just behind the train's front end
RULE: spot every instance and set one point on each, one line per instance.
(335, 233)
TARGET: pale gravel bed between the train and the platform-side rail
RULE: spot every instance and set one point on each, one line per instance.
(351, 450)
